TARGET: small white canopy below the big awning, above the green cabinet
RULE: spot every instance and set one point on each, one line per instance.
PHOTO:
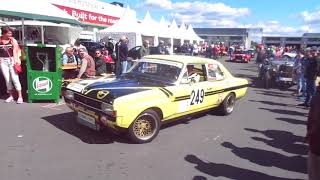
(56, 33)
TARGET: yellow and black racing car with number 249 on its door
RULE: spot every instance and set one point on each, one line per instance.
(156, 89)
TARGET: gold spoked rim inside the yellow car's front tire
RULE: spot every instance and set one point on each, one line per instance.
(143, 128)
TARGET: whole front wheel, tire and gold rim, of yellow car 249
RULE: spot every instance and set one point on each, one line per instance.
(145, 127)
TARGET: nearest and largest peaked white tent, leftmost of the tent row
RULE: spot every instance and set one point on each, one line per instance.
(127, 26)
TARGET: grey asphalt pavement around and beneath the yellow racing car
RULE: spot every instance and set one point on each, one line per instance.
(262, 140)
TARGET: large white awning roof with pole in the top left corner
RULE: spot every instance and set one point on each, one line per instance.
(35, 9)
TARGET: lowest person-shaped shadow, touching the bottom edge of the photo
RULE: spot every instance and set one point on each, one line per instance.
(227, 171)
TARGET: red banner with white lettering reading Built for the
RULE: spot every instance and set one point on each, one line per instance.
(89, 17)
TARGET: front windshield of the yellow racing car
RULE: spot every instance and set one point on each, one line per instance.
(157, 70)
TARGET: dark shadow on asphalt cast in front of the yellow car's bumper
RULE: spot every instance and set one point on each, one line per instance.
(67, 123)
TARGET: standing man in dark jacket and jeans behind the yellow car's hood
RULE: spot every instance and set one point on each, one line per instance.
(122, 51)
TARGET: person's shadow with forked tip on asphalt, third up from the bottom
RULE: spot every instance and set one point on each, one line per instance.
(283, 140)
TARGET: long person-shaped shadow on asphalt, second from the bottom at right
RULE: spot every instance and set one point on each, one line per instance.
(268, 158)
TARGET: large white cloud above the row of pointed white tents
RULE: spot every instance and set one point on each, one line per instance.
(199, 13)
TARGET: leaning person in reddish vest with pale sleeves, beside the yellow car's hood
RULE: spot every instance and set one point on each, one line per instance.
(88, 66)
